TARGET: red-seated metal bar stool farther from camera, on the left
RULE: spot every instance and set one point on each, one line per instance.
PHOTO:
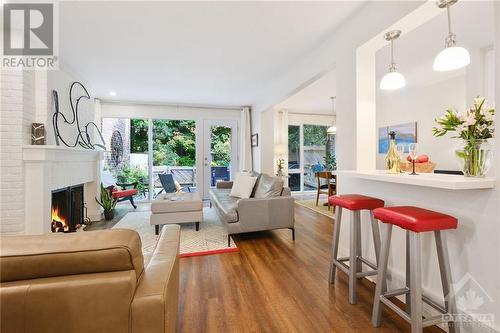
(355, 203)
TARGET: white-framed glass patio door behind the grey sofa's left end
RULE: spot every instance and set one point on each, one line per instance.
(220, 157)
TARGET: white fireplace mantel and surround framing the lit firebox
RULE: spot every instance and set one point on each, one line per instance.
(48, 168)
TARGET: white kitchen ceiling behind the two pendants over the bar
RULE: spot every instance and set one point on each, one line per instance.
(415, 51)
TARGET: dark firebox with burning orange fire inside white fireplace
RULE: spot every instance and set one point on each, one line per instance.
(67, 209)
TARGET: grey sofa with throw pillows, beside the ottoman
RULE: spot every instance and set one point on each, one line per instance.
(275, 211)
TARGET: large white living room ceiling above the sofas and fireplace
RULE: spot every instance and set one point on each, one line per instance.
(212, 53)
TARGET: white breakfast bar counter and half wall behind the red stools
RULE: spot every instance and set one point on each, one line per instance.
(474, 247)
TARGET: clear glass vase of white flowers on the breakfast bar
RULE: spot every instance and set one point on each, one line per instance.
(474, 126)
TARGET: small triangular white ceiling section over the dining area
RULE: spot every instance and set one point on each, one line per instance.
(315, 98)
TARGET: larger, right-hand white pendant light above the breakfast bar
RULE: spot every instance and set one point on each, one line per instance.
(452, 57)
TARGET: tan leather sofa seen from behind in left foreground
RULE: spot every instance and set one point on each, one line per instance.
(89, 282)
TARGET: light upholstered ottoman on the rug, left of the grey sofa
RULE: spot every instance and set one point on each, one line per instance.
(179, 208)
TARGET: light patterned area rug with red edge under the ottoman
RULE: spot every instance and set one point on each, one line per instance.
(210, 239)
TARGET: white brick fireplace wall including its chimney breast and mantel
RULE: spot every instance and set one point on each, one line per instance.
(29, 173)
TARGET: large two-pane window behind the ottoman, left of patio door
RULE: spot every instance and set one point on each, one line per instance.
(128, 158)
